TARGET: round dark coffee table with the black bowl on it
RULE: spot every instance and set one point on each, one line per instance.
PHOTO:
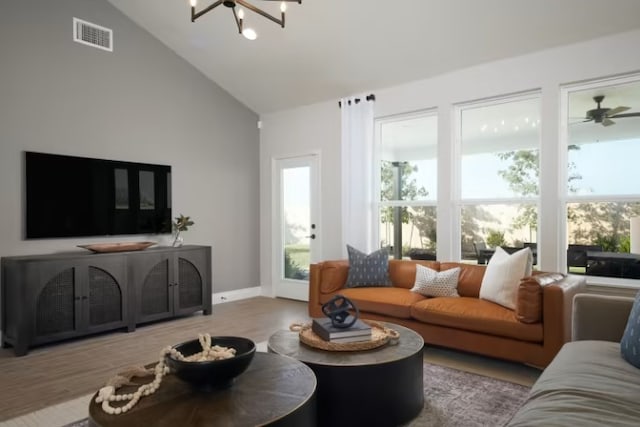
(274, 391)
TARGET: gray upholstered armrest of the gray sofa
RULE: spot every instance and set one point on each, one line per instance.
(600, 317)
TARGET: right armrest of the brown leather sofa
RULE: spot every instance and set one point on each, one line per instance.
(557, 302)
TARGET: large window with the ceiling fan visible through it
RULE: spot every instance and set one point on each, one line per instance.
(602, 179)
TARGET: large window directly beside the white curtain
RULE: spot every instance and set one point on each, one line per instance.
(408, 184)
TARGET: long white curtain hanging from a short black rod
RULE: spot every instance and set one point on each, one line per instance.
(357, 173)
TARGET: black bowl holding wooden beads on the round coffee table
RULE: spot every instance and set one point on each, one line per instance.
(212, 374)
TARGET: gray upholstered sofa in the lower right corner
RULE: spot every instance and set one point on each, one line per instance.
(588, 383)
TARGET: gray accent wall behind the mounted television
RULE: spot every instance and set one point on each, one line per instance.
(140, 103)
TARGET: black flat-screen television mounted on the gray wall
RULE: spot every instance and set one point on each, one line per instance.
(69, 196)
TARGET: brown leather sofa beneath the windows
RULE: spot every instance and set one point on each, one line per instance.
(532, 333)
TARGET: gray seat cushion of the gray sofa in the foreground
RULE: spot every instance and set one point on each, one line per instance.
(587, 384)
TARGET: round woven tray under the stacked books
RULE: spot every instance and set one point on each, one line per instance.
(380, 335)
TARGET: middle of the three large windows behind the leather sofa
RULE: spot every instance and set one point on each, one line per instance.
(499, 176)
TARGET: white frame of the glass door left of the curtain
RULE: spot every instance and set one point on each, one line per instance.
(291, 288)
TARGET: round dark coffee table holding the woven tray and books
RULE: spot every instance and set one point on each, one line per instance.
(379, 387)
